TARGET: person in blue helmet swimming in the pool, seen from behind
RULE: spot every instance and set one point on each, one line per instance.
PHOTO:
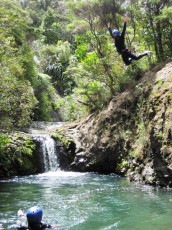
(34, 219)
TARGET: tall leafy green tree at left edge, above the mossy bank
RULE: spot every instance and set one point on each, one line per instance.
(16, 103)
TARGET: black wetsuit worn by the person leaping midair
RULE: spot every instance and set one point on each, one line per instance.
(126, 54)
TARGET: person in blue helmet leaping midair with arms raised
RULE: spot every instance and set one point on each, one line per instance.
(119, 40)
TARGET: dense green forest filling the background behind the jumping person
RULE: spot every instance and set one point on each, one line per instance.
(58, 55)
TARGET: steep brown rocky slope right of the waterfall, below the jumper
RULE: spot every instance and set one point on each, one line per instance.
(132, 136)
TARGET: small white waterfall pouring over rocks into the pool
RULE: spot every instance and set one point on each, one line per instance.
(48, 150)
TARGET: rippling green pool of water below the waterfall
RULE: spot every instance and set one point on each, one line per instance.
(85, 201)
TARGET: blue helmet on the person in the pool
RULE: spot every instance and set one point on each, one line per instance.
(34, 215)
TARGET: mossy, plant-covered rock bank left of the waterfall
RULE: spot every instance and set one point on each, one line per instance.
(15, 155)
